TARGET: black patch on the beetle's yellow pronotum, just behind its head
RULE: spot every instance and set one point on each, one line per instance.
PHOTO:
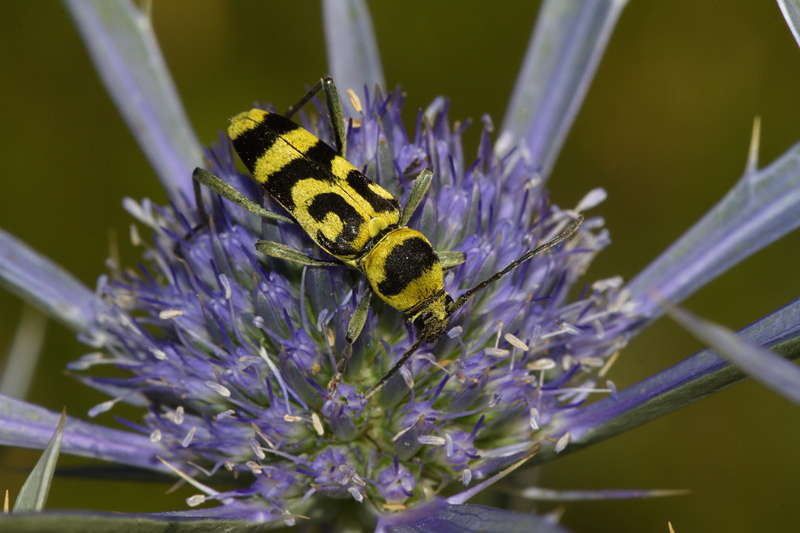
(405, 263)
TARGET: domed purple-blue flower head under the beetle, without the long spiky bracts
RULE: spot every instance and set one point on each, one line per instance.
(233, 351)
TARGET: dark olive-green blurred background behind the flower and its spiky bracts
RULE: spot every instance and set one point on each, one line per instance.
(664, 129)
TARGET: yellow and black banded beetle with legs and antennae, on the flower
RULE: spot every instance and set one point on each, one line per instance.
(352, 218)
